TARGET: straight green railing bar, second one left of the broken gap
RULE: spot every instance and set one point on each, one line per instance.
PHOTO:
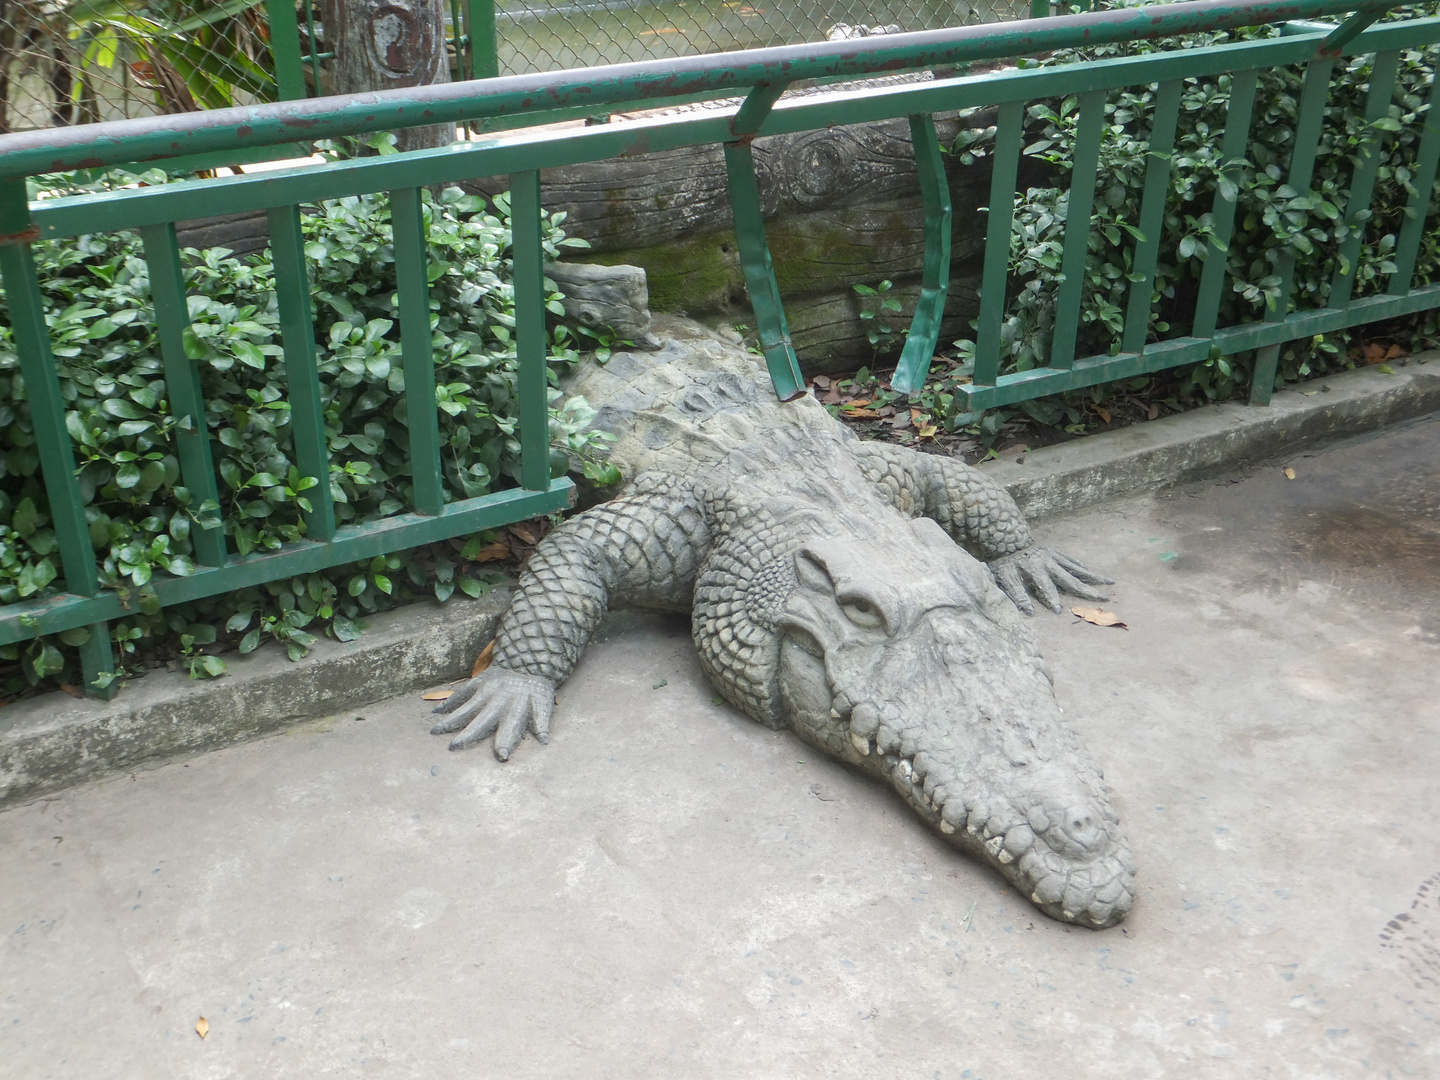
(417, 349)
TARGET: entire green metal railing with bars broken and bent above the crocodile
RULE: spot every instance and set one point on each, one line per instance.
(538, 100)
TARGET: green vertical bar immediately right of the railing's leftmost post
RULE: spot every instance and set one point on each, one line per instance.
(184, 387)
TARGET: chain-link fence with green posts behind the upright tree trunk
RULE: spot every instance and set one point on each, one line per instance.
(84, 61)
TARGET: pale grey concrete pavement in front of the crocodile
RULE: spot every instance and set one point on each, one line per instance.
(669, 891)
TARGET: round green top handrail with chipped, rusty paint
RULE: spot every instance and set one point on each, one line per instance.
(159, 139)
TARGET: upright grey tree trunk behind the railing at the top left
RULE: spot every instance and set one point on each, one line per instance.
(388, 45)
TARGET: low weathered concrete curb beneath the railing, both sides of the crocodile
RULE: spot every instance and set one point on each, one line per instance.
(51, 742)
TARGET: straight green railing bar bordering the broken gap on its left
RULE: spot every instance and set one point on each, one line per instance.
(531, 335)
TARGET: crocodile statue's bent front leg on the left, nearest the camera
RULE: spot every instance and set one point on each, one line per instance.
(637, 551)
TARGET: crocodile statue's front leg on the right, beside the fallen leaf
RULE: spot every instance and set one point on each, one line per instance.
(981, 518)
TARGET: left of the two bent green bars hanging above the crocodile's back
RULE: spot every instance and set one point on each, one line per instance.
(760, 273)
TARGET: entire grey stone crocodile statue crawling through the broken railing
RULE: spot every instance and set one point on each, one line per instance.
(860, 594)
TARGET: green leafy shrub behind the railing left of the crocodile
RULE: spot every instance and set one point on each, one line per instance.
(143, 521)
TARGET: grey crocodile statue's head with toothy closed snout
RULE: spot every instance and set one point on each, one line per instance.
(901, 657)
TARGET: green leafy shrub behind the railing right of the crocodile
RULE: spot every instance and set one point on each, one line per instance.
(1271, 217)
